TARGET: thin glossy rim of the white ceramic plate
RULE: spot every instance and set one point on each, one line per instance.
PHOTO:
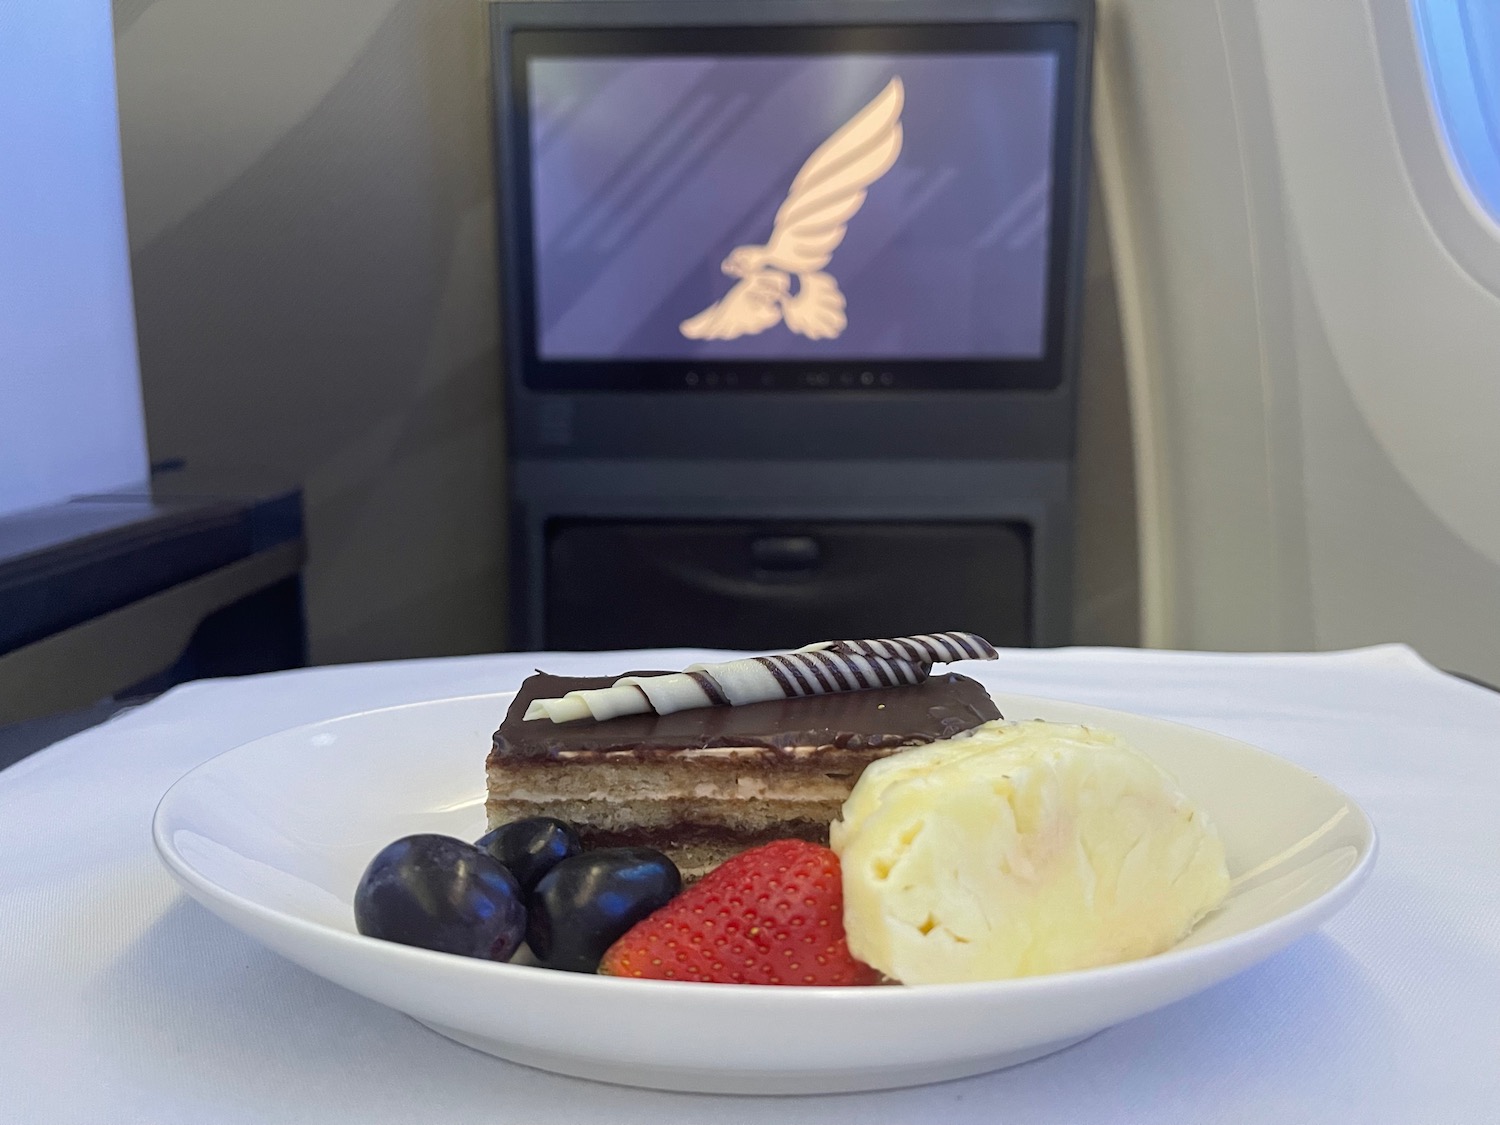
(1298, 920)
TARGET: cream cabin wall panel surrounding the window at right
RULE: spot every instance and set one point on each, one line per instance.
(1312, 317)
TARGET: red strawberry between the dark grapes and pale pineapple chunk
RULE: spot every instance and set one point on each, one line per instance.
(770, 916)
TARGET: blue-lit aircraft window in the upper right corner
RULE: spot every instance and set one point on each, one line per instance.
(1462, 50)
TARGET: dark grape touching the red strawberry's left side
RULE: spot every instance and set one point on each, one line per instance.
(583, 905)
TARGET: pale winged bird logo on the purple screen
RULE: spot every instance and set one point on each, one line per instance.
(809, 226)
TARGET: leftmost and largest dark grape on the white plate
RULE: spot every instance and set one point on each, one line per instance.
(443, 895)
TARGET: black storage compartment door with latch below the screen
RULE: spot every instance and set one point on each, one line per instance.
(614, 584)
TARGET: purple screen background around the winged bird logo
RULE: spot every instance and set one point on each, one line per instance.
(647, 172)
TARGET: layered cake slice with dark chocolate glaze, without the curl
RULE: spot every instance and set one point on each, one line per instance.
(706, 784)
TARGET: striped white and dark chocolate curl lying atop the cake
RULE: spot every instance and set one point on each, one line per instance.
(814, 671)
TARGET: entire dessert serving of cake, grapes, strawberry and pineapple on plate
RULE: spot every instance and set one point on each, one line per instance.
(842, 815)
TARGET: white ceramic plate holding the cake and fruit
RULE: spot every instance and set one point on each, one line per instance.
(274, 838)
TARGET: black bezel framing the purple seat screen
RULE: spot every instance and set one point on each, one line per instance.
(1004, 374)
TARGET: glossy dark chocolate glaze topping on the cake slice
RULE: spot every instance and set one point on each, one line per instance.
(940, 707)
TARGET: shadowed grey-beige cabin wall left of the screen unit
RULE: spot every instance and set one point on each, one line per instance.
(311, 206)
